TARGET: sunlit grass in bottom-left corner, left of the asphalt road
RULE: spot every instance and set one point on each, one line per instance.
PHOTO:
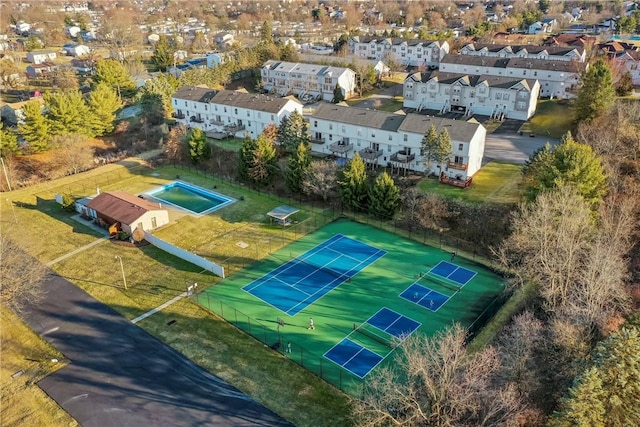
(23, 402)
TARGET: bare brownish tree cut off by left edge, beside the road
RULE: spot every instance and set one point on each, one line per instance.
(20, 277)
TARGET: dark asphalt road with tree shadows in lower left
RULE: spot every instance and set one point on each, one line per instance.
(120, 375)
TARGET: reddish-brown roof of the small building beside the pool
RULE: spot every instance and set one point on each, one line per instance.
(123, 207)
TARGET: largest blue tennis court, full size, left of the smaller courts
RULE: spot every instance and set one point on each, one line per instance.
(295, 285)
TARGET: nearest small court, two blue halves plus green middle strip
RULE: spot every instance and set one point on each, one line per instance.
(389, 328)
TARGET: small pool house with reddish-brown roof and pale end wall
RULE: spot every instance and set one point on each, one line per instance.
(124, 210)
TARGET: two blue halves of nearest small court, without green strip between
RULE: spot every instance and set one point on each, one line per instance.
(358, 359)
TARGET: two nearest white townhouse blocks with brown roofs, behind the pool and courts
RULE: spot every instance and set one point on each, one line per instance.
(381, 138)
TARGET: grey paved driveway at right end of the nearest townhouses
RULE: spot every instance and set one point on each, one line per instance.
(513, 147)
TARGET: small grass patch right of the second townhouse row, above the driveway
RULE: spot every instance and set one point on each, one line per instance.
(552, 118)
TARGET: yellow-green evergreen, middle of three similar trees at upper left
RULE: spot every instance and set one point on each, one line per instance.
(67, 113)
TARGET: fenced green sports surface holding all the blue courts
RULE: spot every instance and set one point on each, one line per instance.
(431, 299)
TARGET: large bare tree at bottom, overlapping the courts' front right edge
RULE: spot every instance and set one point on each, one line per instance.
(435, 382)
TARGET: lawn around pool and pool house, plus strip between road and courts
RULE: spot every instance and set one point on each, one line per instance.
(32, 218)
